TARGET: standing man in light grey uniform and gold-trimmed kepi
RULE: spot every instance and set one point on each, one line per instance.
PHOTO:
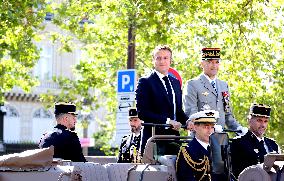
(208, 92)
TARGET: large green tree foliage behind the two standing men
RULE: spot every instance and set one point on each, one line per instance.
(249, 33)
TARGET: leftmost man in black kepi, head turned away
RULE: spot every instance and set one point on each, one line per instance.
(65, 141)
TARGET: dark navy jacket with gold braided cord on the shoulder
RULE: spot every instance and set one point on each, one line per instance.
(193, 163)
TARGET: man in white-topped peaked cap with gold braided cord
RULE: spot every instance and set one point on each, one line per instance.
(193, 161)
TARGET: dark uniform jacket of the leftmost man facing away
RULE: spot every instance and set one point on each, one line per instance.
(66, 144)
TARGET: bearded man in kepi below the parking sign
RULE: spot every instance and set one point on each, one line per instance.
(129, 150)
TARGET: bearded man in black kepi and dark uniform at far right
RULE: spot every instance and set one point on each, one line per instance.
(250, 149)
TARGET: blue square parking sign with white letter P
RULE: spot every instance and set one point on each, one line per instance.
(126, 80)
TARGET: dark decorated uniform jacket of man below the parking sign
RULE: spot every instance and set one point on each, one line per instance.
(129, 149)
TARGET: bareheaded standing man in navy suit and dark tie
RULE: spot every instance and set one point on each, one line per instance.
(159, 97)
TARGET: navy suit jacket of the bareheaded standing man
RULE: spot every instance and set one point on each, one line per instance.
(154, 106)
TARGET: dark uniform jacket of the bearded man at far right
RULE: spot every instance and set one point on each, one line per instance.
(246, 151)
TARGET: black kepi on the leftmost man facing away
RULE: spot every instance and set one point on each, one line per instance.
(65, 108)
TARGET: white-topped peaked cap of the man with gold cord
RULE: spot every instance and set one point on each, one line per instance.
(206, 116)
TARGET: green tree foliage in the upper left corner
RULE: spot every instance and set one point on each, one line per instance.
(19, 23)
